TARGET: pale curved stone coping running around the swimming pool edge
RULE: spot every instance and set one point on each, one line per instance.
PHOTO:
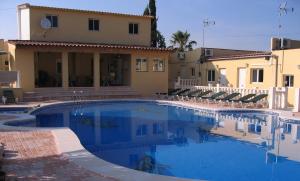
(69, 144)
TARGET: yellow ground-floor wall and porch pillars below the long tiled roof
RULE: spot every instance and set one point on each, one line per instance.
(145, 83)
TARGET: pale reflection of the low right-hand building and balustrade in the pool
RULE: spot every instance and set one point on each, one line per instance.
(281, 137)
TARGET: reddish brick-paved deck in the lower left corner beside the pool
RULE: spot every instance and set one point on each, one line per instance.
(32, 155)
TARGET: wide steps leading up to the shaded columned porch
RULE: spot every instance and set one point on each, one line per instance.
(48, 94)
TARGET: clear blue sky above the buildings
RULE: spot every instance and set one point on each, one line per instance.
(240, 24)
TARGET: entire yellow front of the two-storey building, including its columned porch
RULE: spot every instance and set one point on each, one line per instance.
(54, 58)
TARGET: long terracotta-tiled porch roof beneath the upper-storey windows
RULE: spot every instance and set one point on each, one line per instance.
(31, 43)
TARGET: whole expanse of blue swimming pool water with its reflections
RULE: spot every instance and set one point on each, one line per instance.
(180, 142)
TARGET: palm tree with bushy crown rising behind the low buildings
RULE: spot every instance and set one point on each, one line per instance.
(181, 39)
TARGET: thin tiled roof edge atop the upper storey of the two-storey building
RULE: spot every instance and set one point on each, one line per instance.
(27, 5)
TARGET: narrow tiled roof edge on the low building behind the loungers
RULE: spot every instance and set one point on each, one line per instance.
(242, 56)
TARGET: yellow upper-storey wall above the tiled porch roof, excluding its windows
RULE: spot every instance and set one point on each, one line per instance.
(73, 26)
